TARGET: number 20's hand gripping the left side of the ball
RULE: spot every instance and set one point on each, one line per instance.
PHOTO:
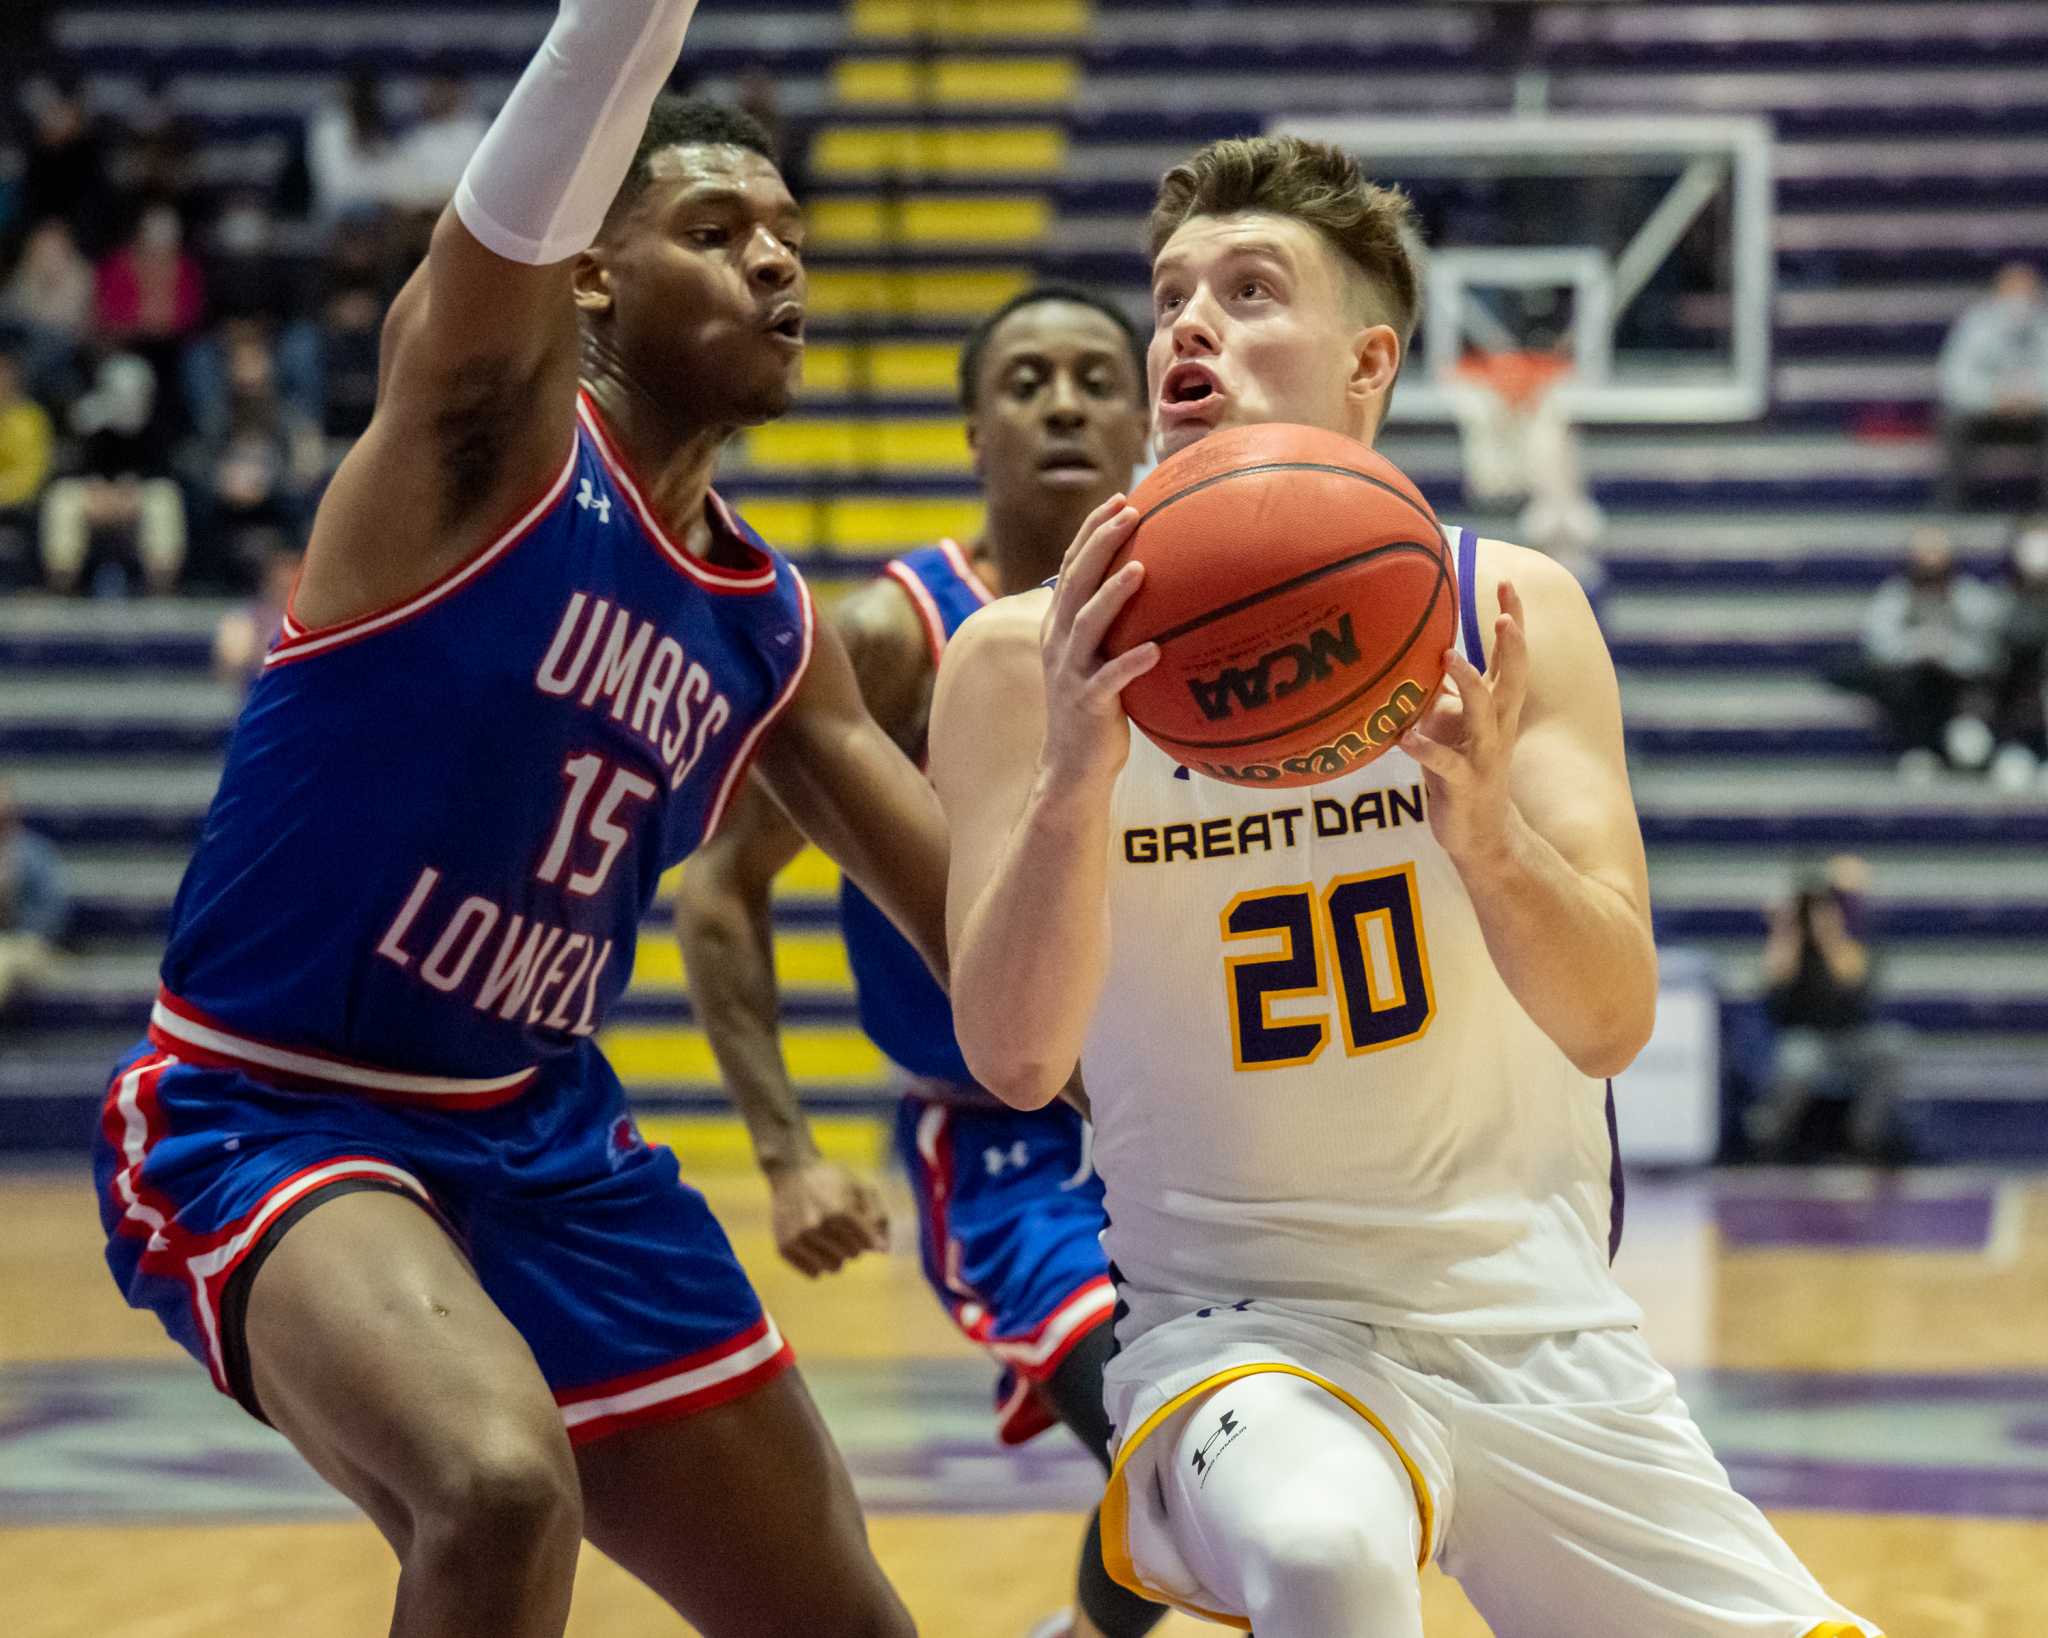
(1086, 732)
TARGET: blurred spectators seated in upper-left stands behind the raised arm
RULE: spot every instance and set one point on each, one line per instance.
(183, 351)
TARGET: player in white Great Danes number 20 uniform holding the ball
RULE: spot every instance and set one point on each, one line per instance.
(1347, 1045)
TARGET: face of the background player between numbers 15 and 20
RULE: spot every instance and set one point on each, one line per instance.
(1060, 411)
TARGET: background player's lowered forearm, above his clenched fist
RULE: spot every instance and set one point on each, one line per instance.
(728, 945)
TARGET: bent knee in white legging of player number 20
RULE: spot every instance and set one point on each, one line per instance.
(1291, 1512)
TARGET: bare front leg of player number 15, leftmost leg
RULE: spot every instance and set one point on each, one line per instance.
(376, 1352)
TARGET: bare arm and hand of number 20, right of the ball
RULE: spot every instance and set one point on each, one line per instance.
(1529, 793)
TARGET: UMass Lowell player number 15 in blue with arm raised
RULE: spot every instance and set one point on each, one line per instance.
(372, 1166)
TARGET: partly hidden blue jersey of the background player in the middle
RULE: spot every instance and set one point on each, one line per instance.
(902, 1008)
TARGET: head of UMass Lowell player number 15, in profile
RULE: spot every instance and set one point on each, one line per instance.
(708, 288)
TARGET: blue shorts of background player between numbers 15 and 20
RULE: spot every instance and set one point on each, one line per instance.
(1011, 1232)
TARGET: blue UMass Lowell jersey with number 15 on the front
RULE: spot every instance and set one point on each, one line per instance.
(441, 826)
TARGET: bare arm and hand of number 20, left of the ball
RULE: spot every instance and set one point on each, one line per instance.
(1029, 736)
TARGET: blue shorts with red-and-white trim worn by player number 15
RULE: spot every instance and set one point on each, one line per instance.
(587, 1238)
